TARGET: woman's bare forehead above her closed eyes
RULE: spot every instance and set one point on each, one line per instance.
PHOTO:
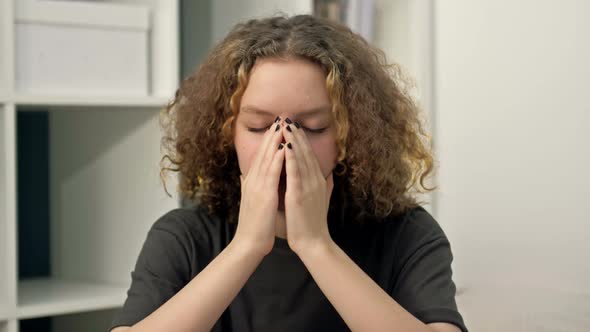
(286, 85)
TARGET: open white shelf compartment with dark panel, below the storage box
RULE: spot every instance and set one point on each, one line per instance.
(104, 194)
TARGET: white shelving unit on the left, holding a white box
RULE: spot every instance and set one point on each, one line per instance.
(104, 152)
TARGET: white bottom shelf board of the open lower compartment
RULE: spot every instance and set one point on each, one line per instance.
(49, 297)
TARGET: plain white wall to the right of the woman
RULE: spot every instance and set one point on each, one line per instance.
(512, 127)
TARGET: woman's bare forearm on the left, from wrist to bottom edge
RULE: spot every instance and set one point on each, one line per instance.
(198, 306)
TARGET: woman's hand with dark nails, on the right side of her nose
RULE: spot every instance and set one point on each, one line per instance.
(307, 196)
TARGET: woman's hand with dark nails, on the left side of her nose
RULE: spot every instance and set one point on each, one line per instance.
(259, 201)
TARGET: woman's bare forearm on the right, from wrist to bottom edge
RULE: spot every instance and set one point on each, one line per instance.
(361, 303)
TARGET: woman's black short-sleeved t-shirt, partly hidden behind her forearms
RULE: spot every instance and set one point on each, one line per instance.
(408, 256)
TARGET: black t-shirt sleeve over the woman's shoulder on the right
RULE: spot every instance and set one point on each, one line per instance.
(421, 278)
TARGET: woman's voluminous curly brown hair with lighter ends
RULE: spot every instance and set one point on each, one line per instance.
(385, 156)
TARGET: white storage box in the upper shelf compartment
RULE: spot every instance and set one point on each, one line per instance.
(110, 55)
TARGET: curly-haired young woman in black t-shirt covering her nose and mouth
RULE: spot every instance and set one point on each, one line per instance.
(302, 151)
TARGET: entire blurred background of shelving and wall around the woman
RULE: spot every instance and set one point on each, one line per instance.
(503, 85)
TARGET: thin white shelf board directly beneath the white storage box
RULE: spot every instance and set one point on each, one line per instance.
(93, 101)
